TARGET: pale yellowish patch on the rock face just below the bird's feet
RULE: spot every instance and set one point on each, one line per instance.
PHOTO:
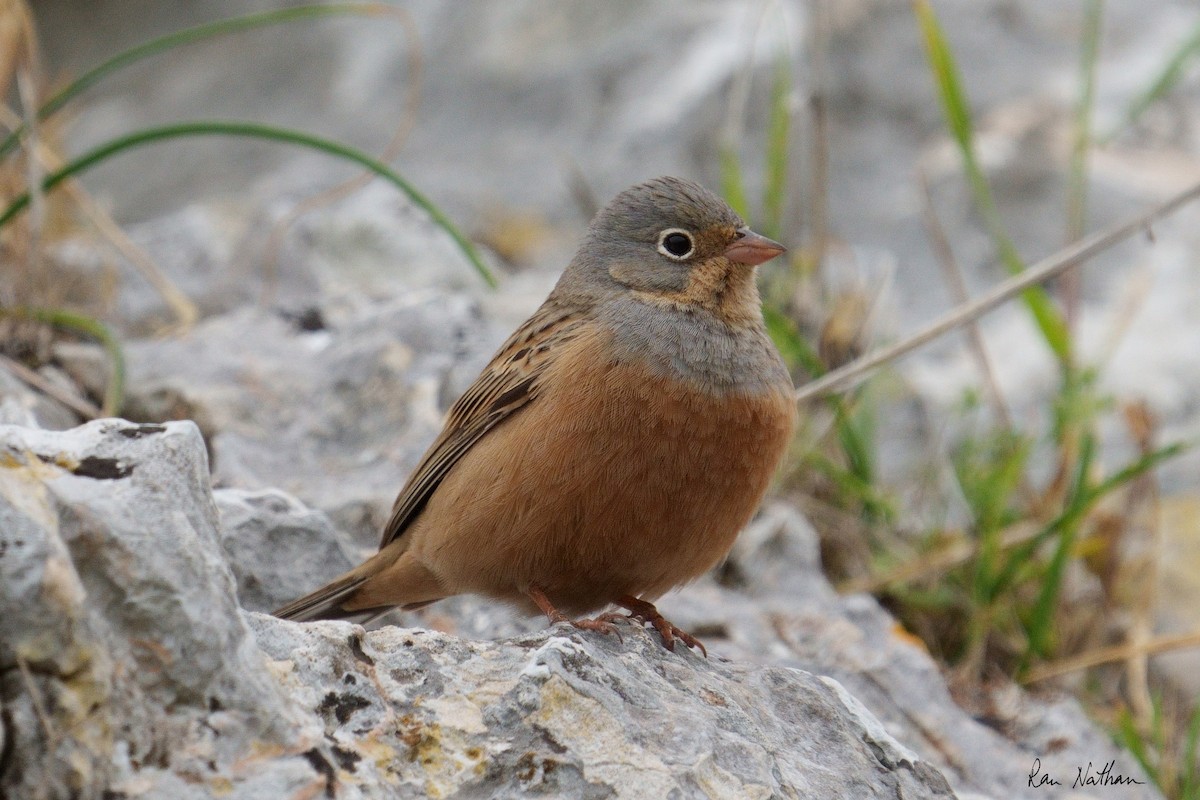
(598, 739)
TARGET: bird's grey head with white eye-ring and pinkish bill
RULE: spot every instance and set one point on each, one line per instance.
(655, 237)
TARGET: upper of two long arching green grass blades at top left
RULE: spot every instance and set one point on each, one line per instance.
(183, 38)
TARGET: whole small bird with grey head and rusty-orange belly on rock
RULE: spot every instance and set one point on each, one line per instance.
(616, 444)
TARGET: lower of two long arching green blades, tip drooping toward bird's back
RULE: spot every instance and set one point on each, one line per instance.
(255, 131)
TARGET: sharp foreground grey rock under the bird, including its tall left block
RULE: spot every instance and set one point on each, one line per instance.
(127, 667)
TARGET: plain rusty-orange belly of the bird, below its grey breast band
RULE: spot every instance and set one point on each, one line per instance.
(619, 483)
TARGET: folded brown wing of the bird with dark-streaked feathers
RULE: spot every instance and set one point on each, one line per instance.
(508, 383)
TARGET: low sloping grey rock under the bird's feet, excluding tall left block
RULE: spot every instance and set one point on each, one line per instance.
(583, 717)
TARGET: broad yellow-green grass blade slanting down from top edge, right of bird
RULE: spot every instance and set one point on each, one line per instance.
(958, 119)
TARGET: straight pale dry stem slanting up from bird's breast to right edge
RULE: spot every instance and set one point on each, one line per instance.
(1085, 249)
